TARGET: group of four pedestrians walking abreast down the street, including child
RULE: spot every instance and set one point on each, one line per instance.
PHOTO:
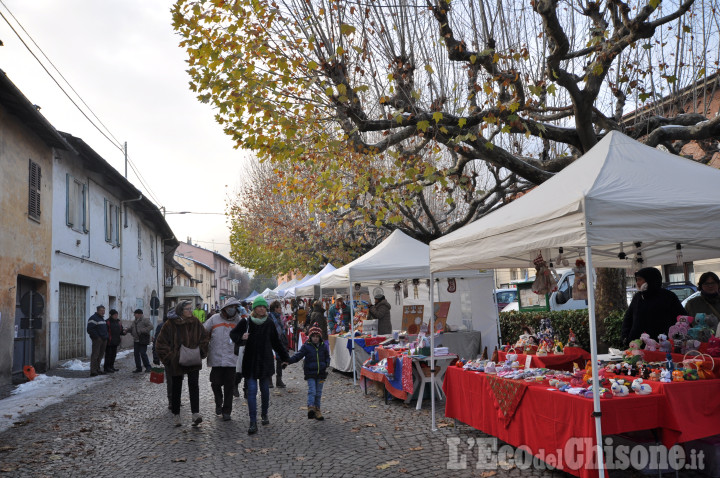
(237, 344)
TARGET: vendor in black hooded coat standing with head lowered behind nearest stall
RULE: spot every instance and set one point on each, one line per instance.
(652, 309)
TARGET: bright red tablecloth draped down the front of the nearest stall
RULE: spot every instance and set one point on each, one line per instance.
(559, 428)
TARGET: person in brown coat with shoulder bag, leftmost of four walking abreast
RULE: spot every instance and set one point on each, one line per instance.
(187, 331)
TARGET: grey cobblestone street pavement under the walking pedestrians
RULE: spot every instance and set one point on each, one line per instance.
(122, 427)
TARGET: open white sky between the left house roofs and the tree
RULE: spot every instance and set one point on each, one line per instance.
(122, 57)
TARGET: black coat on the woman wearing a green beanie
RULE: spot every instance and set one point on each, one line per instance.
(258, 360)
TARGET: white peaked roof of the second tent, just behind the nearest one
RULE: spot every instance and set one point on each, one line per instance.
(398, 257)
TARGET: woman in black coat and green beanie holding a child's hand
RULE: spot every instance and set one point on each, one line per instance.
(261, 339)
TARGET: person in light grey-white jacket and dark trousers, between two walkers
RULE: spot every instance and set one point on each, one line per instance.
(222, 357)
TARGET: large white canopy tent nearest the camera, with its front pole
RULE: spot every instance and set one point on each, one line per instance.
(620, 205)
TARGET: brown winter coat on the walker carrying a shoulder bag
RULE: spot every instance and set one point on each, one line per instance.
(177, 331)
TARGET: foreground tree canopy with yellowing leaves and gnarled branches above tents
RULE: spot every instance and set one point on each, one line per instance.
(425, 115)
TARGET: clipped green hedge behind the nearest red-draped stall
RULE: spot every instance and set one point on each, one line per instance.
(511, 324)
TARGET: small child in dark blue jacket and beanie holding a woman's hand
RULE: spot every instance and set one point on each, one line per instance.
(317, 360)
